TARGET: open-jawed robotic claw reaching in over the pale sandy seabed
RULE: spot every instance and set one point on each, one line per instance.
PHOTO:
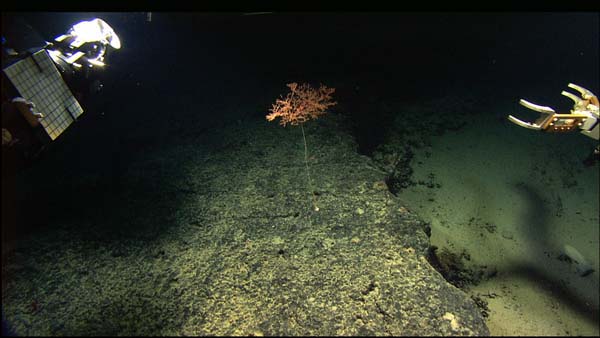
(584, 116)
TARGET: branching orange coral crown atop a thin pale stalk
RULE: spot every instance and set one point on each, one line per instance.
(301, 104)
